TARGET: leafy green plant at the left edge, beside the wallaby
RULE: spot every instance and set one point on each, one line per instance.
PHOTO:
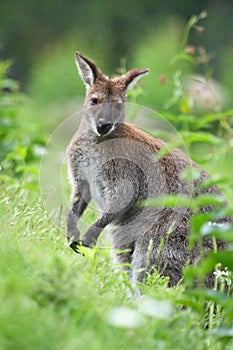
(20, 144)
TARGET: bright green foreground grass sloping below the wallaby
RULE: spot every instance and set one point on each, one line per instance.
(51, 298)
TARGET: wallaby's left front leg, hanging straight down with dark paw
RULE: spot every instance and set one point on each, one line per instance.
(81, 198)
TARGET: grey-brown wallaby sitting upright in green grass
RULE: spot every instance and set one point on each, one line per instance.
(118, 165)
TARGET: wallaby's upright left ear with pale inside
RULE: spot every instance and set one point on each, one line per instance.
(87, 69)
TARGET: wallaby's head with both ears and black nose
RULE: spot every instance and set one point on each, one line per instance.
(105, 97)
